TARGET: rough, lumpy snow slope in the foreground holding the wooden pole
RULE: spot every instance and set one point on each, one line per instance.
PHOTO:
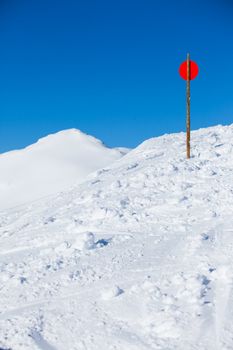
(138, 257)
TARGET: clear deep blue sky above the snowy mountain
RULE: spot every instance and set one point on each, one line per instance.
(110, 68)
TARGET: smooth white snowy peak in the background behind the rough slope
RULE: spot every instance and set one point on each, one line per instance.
(52, 164)
